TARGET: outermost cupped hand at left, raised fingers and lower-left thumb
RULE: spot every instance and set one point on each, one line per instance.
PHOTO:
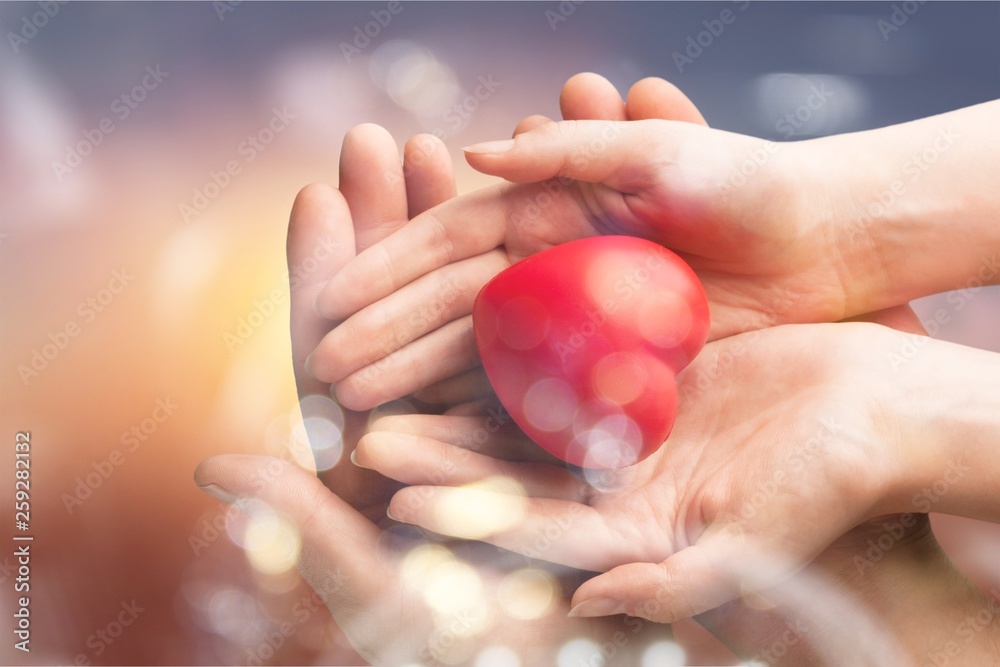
(352, 554)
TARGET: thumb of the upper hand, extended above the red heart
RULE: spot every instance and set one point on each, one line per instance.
(621, 154)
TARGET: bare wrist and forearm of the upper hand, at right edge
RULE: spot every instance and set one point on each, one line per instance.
(908, 208)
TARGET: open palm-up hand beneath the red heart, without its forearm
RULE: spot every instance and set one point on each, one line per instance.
(781, 446)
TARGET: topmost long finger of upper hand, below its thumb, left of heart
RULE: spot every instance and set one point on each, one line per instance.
(460, 228)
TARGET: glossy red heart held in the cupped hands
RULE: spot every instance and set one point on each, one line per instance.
(582, 344)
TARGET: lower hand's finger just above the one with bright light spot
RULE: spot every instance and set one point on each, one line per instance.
(417, 460)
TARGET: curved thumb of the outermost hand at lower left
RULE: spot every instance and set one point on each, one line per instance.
(335, 538)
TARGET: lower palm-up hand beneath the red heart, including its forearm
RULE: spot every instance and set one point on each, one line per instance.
(714, 513)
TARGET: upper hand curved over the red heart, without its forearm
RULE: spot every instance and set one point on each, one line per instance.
(408, 299)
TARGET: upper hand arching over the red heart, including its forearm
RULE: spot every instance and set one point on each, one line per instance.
(803, 239)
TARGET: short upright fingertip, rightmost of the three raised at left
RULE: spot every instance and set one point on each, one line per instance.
(429, 174)
